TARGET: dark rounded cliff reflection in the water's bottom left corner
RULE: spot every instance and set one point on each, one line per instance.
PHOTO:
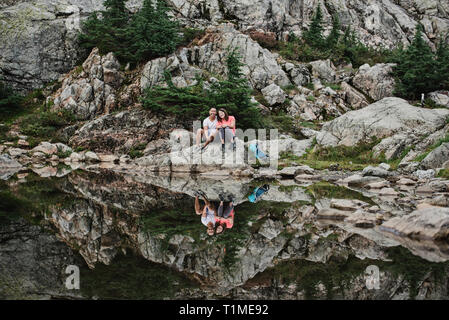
(33, 263)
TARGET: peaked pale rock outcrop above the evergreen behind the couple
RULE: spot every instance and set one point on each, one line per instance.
(261, 67)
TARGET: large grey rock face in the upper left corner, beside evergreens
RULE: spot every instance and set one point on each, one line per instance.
(39, 39)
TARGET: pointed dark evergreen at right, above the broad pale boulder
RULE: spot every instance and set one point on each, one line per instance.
(416, 68)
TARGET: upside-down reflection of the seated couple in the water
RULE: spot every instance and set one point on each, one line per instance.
(216, 221)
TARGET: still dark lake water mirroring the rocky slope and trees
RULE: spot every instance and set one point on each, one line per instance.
(138, 237)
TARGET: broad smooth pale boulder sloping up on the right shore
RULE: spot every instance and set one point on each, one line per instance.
(389, 118)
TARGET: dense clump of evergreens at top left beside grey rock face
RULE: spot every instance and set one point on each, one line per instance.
(148, 34)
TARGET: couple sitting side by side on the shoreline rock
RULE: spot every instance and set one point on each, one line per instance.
(223, 124)
